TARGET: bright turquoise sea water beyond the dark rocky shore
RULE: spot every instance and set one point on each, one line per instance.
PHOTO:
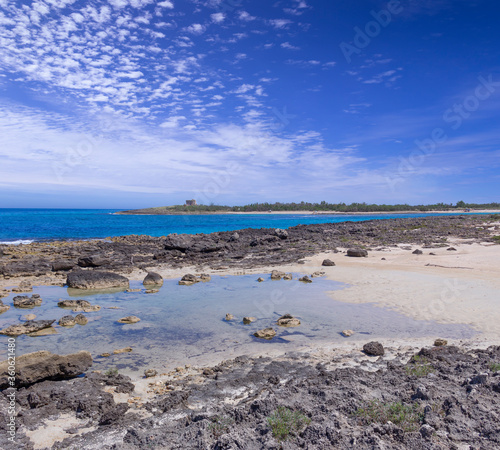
(50, 224)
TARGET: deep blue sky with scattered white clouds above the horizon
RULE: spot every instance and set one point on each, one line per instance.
(139, 103)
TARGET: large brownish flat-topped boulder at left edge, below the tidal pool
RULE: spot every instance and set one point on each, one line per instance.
(43, 365)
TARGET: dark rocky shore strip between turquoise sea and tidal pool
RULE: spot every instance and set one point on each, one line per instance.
(249, 248)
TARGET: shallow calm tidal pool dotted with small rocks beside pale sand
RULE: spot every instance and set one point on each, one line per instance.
(185, 324)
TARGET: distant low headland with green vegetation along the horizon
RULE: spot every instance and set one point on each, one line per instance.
(307, 206)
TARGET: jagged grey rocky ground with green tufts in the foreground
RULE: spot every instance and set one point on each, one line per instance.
(440, 397)
